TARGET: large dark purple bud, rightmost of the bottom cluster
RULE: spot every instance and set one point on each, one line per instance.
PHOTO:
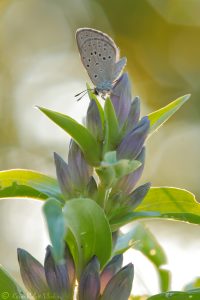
(119, 287)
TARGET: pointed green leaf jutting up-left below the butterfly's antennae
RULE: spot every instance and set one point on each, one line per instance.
(79, 133)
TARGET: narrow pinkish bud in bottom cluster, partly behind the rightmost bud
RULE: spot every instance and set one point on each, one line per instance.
(110, 270)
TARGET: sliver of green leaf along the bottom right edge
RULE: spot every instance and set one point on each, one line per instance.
(190, 295)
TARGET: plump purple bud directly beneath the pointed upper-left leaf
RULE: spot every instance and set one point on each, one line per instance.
(80, 171)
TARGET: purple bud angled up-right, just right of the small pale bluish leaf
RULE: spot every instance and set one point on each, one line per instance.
(128, 182)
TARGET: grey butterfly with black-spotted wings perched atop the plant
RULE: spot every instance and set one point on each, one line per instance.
(101, 58)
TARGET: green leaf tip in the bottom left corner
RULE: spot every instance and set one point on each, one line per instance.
(9, 289)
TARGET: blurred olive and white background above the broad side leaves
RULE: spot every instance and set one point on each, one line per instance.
(40, 65)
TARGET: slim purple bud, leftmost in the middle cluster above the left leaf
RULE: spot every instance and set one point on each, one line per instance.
(63, 175)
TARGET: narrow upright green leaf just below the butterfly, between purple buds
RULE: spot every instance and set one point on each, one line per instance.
(111, 127)
